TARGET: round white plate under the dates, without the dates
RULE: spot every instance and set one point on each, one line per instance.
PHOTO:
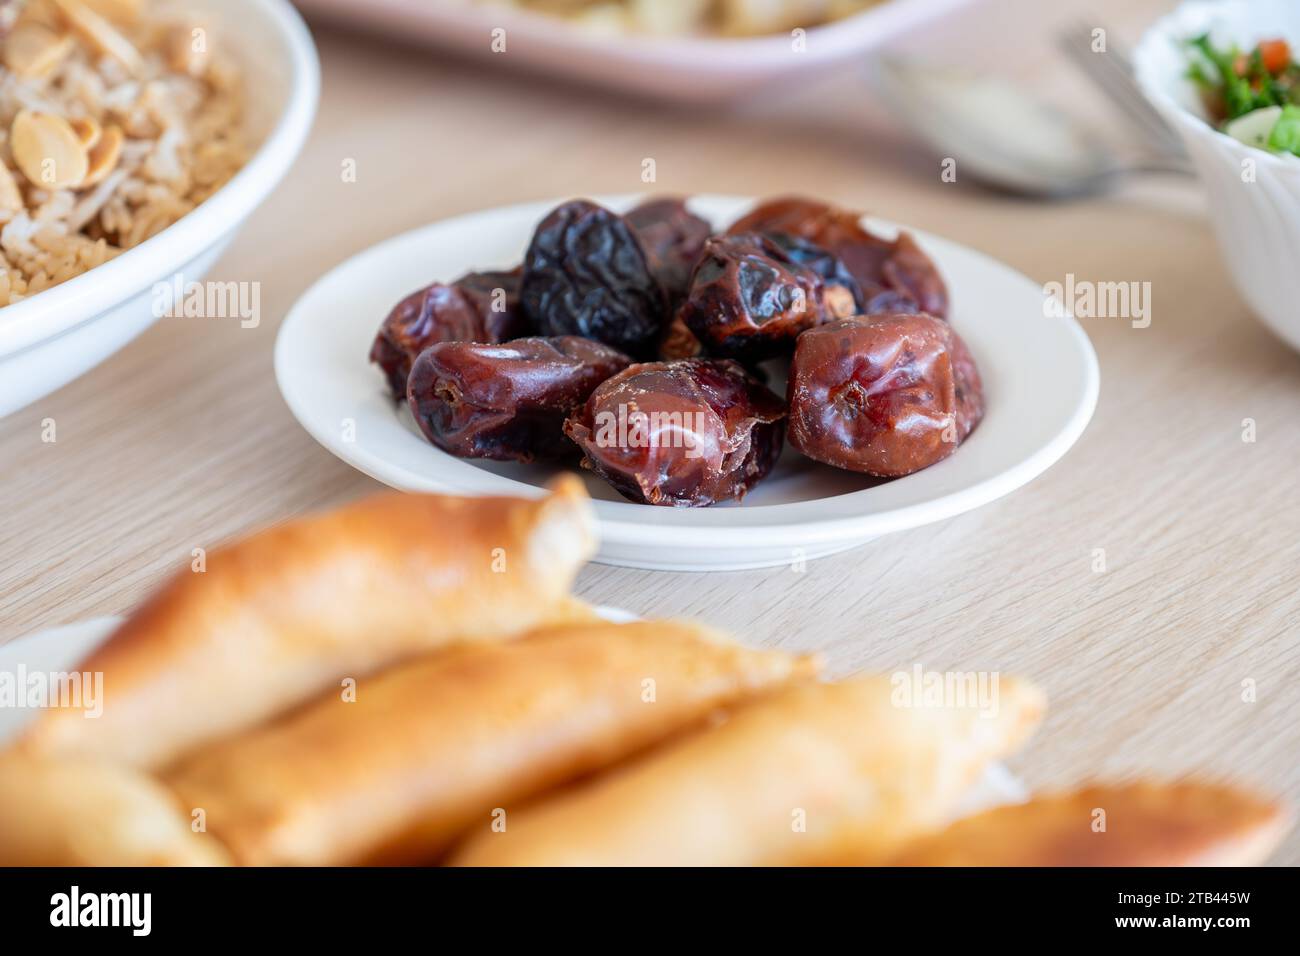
(1041, 382)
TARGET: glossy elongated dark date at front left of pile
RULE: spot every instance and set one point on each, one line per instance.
(509, 401)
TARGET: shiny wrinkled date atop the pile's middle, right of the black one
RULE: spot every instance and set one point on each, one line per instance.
(749, 300)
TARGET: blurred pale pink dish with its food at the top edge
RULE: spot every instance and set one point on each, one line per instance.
(664, 49)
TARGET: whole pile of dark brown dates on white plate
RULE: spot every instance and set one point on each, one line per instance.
(634, 343)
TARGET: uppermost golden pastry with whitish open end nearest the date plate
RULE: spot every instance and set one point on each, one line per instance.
(292, 611)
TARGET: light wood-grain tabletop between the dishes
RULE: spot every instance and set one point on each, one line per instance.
(183, 439)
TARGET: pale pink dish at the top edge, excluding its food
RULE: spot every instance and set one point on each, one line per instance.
(681, 68)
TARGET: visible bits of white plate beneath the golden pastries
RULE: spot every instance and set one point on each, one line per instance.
(62, 648)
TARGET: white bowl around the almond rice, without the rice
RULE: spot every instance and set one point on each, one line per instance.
(58, 335)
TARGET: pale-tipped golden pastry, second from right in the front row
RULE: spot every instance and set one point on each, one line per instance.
(809, 775)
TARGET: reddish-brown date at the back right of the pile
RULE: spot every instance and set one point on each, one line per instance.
(878, 265)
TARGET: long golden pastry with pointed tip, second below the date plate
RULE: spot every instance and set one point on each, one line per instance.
(432, 746)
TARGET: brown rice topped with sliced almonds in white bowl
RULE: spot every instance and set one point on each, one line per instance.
(118, 118)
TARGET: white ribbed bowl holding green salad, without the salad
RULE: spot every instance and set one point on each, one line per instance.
(1254, 196)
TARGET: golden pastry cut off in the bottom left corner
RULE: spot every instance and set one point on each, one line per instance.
(83, 814)
